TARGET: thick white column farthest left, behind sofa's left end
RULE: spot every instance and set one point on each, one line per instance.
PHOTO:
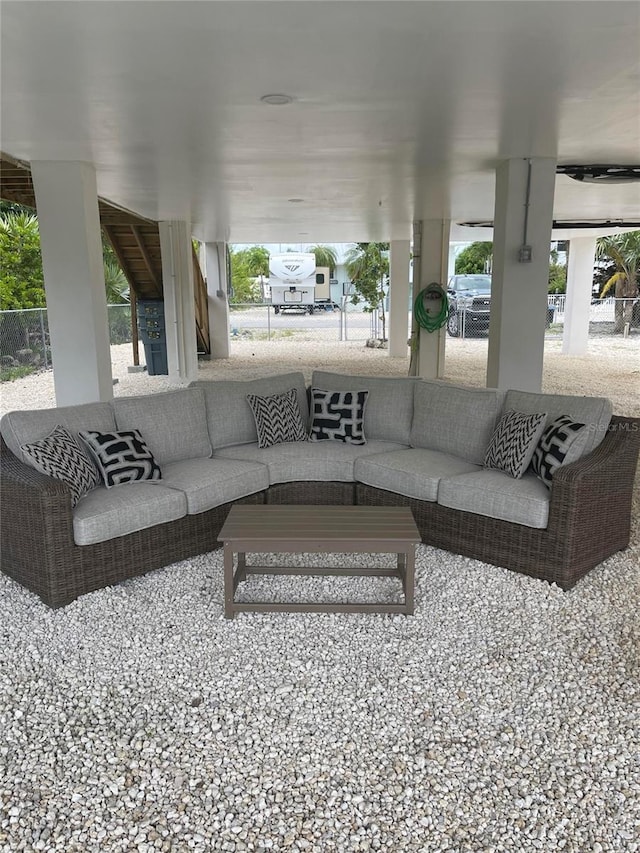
(71, 245)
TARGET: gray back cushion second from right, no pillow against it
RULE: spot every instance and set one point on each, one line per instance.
(455, 420)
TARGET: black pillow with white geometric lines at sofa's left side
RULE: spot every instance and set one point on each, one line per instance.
(121, 457)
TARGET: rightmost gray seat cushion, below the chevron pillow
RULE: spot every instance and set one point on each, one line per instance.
(497, 495)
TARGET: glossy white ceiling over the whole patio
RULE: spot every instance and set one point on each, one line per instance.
(399, 110)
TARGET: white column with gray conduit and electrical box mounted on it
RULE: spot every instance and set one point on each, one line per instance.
(519, 289)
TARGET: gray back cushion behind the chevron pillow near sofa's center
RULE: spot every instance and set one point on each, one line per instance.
(229, 416)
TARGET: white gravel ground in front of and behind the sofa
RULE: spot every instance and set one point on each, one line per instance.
(501, 717)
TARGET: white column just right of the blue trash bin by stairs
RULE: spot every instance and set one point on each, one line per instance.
(179, 301)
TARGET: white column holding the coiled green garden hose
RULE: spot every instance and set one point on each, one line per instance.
(434, 263)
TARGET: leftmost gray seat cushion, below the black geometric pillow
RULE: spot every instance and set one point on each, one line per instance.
(106, 513)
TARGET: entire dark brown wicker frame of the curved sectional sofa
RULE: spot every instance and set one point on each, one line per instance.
(589, 520)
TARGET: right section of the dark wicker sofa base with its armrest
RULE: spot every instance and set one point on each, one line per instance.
(589, 516)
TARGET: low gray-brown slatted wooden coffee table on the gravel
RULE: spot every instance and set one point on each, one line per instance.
(280, 528)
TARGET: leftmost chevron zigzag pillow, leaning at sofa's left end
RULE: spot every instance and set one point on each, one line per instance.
(60, 456)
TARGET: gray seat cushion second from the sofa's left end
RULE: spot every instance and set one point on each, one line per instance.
(207, 483)
